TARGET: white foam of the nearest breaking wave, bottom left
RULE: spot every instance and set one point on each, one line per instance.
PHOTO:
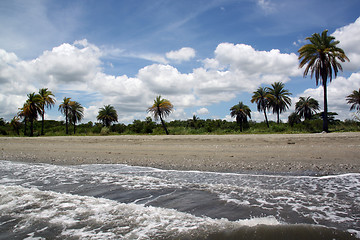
(97, 218)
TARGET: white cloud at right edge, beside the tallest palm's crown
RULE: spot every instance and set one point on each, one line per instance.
(349, 37)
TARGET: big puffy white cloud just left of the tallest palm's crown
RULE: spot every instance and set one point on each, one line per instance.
(240, 68)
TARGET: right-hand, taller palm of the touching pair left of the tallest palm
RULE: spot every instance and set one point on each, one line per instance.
(279, 99)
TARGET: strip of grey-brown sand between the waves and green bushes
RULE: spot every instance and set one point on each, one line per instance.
(299, 154)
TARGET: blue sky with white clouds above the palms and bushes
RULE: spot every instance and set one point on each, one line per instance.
(204, 56)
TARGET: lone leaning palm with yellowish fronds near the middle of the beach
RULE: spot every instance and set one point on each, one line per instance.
(160, 109)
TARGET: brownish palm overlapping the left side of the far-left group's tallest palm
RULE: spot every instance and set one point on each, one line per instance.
(32, 108)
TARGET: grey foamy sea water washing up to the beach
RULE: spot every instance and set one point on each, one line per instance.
(115, 201)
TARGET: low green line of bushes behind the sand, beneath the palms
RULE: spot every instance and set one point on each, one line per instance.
(181, 127)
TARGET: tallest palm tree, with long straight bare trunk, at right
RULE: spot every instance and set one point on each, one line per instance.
(321, 57)
